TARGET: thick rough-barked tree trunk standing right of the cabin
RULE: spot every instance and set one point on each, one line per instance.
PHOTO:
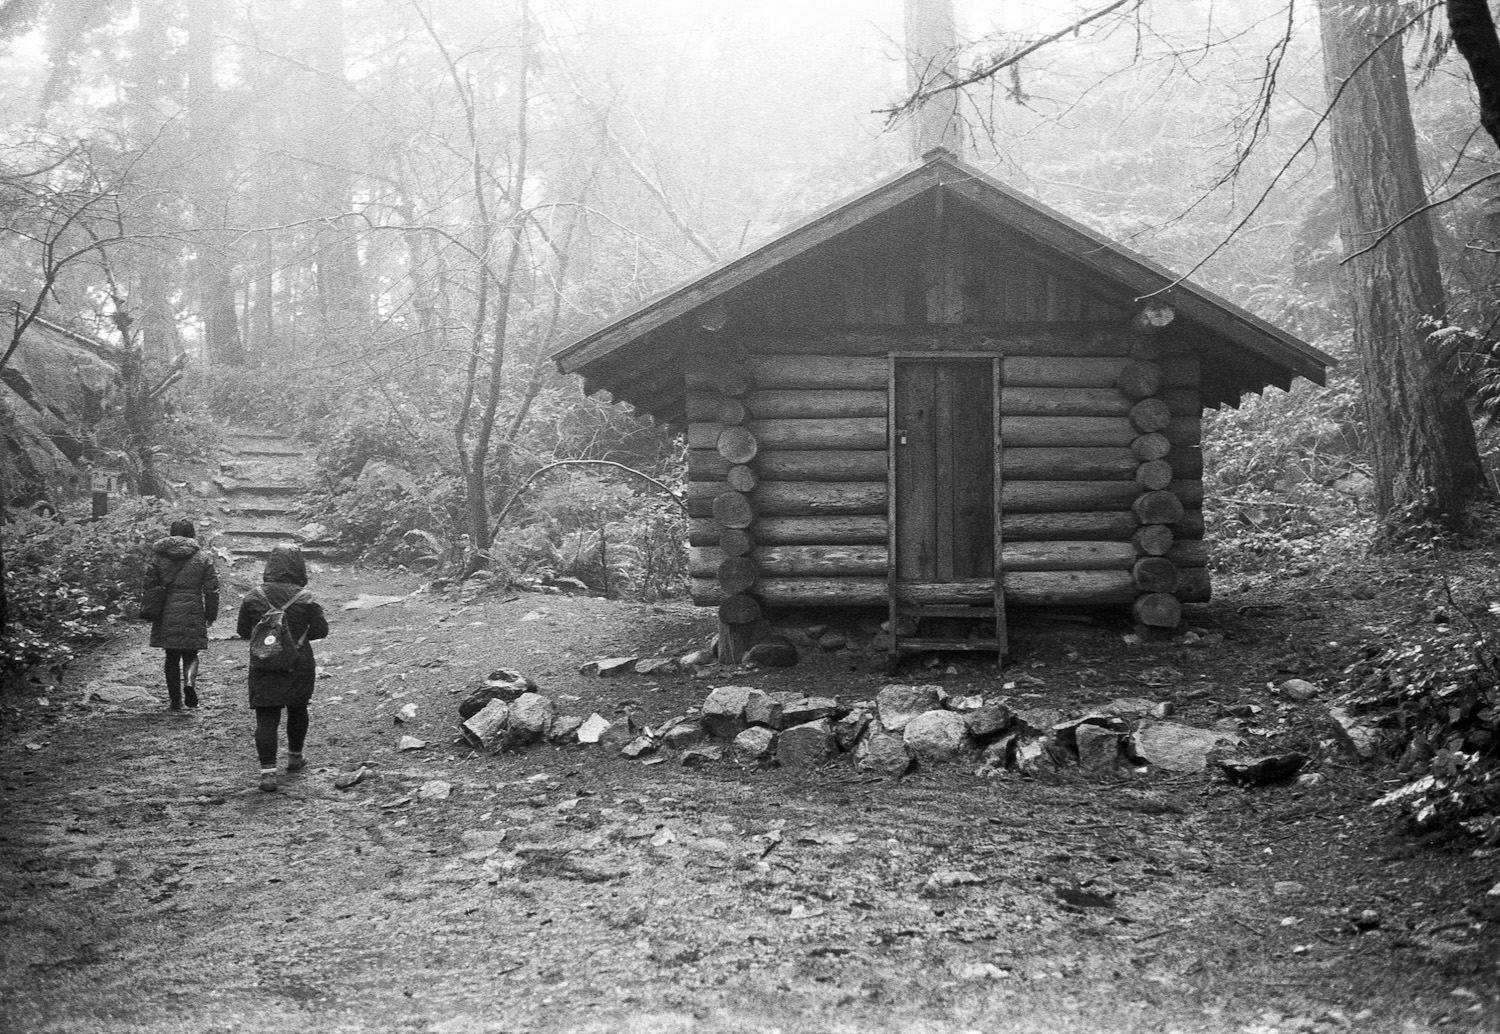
(1423, 440)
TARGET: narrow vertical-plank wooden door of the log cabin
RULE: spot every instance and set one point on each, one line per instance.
(944, 493)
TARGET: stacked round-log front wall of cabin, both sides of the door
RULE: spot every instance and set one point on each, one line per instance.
(1102, 494)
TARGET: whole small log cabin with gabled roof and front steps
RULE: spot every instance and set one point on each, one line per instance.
(944, 398)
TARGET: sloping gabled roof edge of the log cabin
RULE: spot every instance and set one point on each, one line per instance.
(1265, 353)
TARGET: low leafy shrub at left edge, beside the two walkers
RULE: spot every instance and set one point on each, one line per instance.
(68, 579)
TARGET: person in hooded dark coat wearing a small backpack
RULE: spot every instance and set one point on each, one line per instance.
(284, 586)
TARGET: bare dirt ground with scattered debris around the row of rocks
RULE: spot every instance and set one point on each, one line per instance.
(148, 886)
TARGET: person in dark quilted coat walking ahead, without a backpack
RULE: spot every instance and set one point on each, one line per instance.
(182, 576)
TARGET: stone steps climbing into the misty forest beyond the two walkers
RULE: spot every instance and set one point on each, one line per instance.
(260, 478)
